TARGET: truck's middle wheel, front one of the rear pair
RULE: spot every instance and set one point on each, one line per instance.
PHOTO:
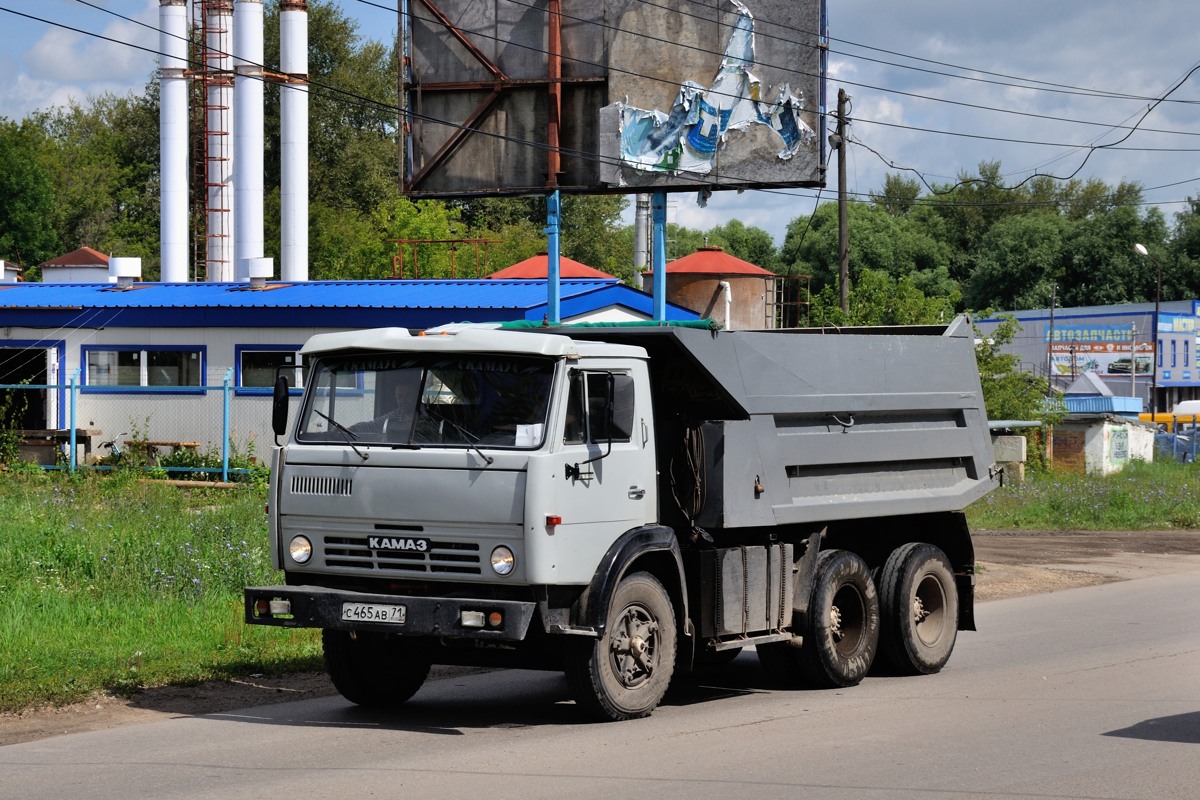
(841, 631)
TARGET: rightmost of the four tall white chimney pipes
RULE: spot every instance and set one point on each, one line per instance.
(295, 141)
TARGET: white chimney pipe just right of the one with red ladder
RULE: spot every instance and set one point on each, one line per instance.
(248, 125)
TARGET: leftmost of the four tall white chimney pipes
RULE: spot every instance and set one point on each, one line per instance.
(173, 140)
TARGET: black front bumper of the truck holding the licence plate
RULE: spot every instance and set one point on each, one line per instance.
(439, 617)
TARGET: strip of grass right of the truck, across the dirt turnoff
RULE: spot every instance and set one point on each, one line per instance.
(1143, 497)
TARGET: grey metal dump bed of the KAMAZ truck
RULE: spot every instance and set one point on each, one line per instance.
(812, 426)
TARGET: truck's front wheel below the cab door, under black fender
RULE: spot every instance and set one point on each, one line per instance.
(625, 675)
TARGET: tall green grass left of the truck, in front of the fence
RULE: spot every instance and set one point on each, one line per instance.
(112, 585)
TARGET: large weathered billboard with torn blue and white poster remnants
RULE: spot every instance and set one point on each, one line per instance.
(547, 125)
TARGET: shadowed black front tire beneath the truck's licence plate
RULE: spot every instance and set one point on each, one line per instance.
(374, 670)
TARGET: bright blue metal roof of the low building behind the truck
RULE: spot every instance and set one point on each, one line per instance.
(357, 304)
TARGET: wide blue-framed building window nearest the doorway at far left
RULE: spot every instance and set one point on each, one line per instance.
(117, 368)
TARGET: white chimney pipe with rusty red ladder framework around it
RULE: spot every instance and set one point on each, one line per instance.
(220, 146)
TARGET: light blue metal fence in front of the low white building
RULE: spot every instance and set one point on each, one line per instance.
(218, 431)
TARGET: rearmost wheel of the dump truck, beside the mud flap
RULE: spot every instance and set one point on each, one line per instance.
(920, 610)
